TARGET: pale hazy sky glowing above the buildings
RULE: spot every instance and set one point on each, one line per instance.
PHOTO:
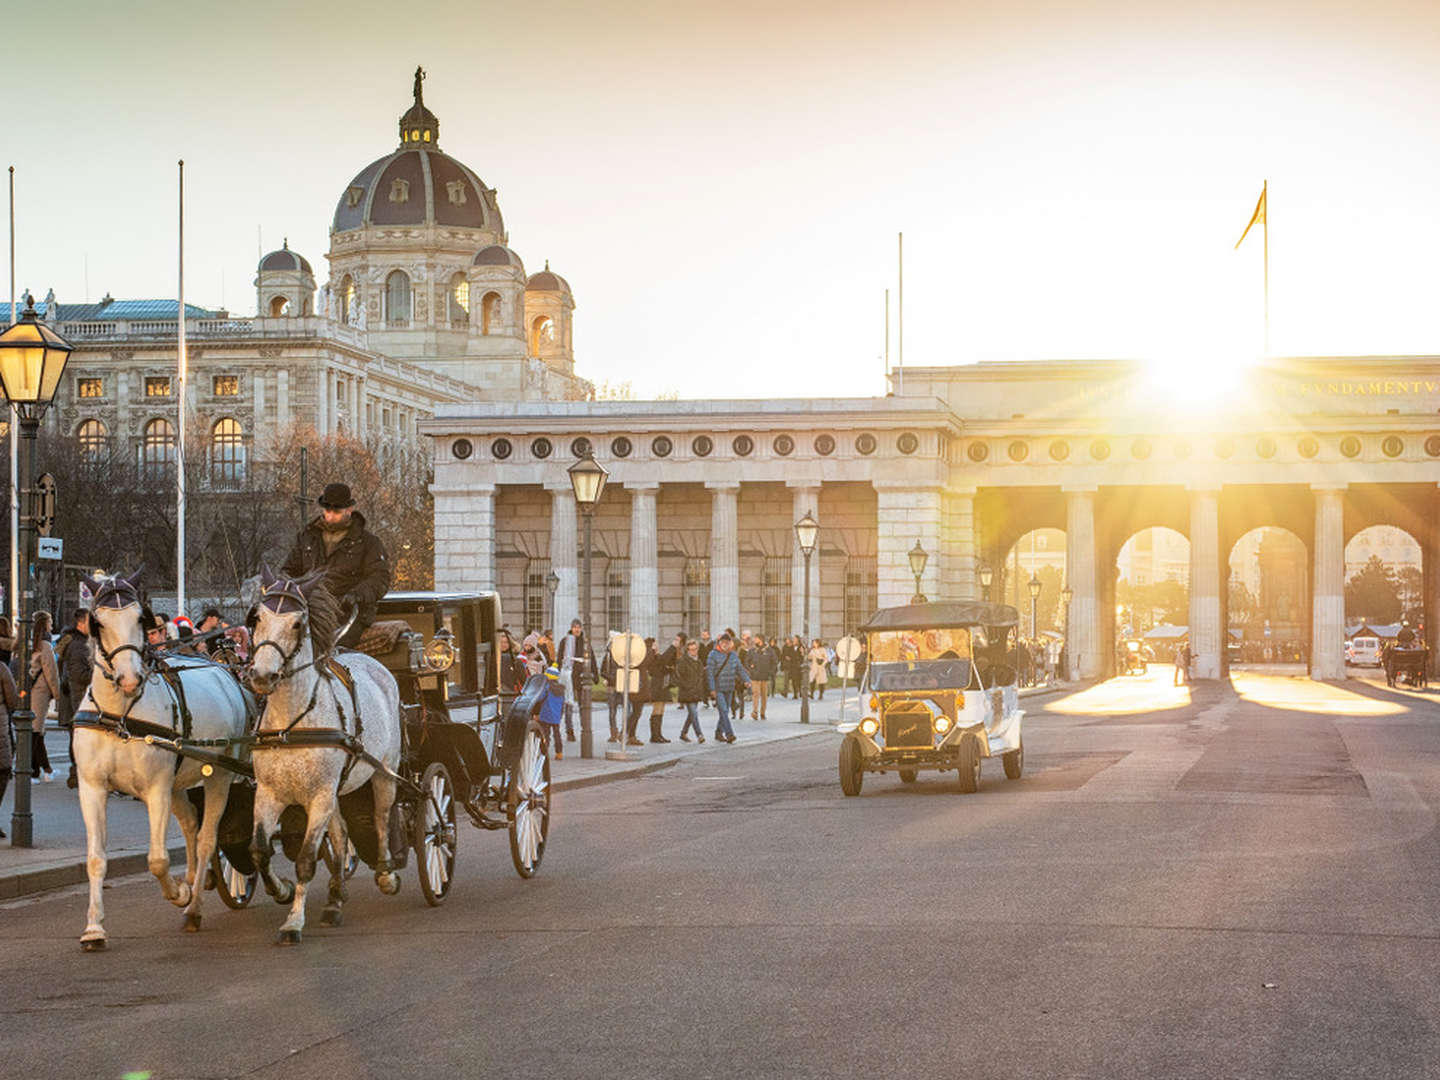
(724, 184)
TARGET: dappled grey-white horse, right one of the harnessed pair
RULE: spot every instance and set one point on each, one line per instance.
(306, 751)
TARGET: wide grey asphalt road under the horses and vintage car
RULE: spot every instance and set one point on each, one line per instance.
(1238, 882)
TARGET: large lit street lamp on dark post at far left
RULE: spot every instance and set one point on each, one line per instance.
(32, 361)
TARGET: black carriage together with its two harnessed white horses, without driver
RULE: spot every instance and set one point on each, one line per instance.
(401, 765)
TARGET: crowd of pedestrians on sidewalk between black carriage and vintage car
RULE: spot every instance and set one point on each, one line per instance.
(732, 673)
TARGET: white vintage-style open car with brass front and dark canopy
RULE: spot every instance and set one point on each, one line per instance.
(941, 693)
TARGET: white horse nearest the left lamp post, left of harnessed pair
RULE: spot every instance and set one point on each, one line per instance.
(129, 699)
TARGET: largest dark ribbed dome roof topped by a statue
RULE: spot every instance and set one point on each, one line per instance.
(418, 185)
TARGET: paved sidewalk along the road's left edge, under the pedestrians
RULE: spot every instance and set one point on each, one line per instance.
(58, 858)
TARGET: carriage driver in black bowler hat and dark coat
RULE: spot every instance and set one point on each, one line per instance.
(358, 570)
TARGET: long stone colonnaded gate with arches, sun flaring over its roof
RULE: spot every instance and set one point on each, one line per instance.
(696, 526)
